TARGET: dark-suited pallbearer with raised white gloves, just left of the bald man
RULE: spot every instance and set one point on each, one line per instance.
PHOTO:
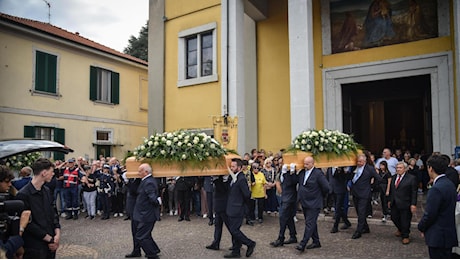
(288, 183)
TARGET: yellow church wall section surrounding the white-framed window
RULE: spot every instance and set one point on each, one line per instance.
(190, 106)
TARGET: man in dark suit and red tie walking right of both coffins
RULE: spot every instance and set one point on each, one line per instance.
(403, 201)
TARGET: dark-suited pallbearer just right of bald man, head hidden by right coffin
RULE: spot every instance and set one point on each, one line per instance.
(338, 179)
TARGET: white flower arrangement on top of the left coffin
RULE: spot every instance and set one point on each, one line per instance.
(183, 147)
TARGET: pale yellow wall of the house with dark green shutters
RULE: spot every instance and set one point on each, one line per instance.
(76, 113)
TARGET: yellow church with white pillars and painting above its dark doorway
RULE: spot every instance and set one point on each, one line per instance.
(386, 71)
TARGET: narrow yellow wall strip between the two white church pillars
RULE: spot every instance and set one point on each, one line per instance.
(273, 79)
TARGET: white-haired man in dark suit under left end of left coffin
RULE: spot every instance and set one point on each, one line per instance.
(146, 211)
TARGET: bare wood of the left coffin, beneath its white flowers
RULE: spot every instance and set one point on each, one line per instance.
(214, 166)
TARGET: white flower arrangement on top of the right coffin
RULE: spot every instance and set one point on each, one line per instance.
(325, 141)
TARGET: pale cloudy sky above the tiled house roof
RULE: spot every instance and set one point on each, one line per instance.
(108, 22)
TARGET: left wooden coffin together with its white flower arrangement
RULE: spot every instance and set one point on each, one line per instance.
(180, 153)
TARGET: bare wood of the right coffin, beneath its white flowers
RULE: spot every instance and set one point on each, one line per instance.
(322, 160)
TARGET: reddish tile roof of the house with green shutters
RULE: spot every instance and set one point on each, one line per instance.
(63, 34)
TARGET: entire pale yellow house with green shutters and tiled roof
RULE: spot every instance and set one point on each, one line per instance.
(57, 85)
